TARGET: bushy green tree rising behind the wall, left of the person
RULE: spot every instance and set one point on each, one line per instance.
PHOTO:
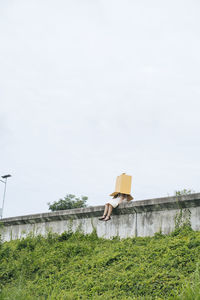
(69, 202)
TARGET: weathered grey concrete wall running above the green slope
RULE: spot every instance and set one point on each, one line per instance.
(137, 218)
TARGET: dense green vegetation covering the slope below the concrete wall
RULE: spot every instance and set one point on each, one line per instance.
(73, 266)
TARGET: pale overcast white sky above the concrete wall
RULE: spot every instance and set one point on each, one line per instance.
(92, 89)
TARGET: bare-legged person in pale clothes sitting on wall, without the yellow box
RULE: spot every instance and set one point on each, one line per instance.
(113, 203)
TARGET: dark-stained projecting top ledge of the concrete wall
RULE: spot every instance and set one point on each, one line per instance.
(140, 206)
